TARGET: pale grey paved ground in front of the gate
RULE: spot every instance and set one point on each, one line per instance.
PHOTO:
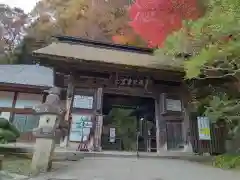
(116, 168)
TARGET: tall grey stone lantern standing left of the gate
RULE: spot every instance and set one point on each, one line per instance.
(50, 115)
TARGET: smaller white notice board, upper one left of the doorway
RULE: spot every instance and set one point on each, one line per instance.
(83, 102)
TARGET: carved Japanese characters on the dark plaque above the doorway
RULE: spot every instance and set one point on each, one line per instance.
(131, 81)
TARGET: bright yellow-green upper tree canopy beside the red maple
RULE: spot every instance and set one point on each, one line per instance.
(212, 41)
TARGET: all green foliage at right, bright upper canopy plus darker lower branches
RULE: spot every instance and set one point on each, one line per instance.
(210, 46)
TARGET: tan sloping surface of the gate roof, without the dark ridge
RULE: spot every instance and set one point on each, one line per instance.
(83, 52)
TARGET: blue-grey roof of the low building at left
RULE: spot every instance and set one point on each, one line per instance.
(34, 75)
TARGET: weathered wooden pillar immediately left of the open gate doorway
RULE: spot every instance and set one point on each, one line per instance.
(99, 120)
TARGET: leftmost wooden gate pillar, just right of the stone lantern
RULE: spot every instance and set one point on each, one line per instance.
(69, 102)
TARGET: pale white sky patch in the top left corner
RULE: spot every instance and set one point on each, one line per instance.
(26, 5)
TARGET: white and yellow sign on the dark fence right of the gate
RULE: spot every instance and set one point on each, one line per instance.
(204, 128)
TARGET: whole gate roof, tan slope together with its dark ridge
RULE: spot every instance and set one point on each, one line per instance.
(80, 50)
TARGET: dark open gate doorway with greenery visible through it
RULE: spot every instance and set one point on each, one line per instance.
(124, 118)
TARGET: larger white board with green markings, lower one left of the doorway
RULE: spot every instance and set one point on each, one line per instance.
(80, 128)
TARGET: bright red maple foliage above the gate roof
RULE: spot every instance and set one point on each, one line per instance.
(154, 20)
